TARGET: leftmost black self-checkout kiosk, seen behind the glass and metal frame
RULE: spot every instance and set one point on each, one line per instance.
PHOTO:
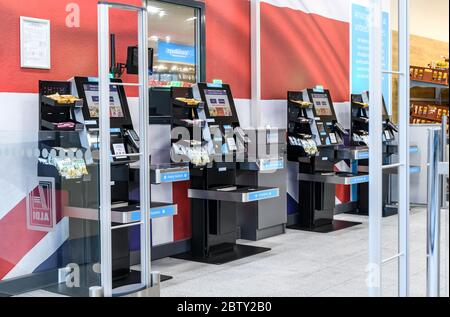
(71, 132)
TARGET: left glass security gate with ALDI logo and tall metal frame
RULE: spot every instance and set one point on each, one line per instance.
(59, 229)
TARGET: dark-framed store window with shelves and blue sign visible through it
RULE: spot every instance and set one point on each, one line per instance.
(175, 34)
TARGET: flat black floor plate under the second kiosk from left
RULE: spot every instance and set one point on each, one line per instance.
(239, 252)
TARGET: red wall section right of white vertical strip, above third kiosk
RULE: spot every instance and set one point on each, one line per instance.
(300, 50)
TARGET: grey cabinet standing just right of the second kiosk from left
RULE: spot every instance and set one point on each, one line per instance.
(264, 166)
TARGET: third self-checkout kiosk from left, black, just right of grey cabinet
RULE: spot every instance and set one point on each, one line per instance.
(316, 142)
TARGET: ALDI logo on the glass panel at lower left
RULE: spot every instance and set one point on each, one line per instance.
(41, 210)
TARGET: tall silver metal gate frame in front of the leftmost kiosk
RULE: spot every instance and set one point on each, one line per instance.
(105, 140)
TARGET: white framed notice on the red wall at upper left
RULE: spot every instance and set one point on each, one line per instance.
(34, 43)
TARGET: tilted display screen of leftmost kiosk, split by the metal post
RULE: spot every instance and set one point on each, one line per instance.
(92, 99)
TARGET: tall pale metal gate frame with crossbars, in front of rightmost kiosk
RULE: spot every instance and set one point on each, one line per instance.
(376, 167)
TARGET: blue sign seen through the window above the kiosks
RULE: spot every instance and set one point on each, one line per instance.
(176, 53)
